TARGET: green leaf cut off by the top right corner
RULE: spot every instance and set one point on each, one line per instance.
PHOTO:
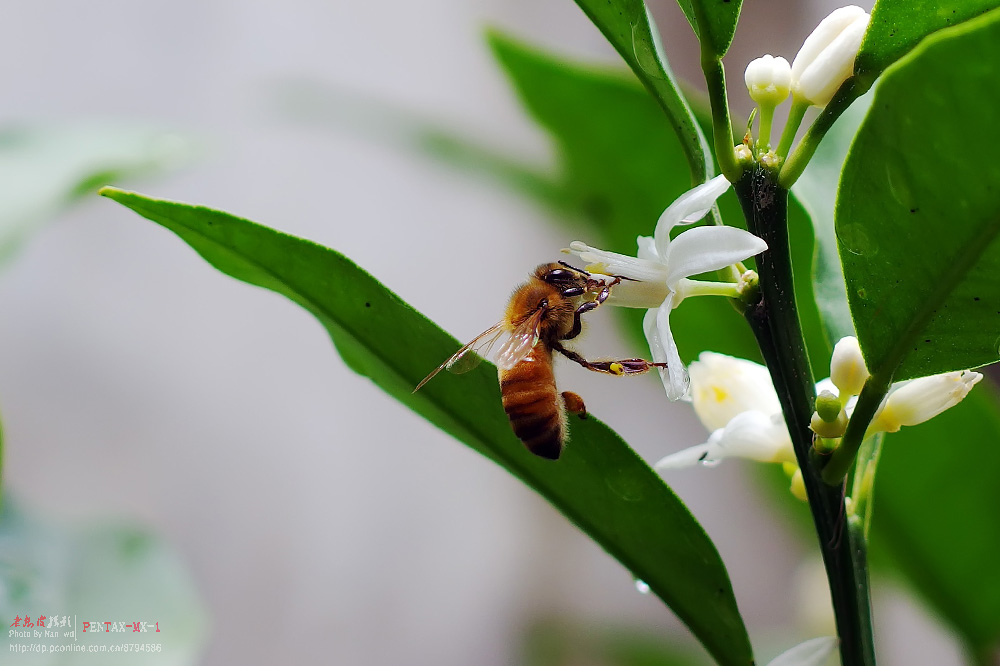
(897, 26)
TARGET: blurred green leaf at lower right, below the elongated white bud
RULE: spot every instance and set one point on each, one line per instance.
(936, 499)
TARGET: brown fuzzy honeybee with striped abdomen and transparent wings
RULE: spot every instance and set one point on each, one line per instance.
(542, 313)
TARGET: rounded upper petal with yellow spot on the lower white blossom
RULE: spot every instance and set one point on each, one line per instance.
(724, 386)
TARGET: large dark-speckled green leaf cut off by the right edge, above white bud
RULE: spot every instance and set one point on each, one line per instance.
(917, 214)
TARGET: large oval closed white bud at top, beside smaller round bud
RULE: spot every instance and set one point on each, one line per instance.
(826, 58)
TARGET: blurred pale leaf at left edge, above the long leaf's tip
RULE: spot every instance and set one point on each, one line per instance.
(43, 169)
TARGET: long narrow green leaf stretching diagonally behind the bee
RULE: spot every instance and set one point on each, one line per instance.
(600, 483)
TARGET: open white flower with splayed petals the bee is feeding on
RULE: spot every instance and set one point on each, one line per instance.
(657, 277)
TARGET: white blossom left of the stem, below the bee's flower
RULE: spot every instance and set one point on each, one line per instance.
(736, 400)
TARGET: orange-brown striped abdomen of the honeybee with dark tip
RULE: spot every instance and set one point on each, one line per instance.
(533, 405)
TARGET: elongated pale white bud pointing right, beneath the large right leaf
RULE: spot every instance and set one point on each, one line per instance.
(923, 399)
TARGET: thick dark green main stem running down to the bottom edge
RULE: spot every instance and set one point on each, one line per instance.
(775, 324)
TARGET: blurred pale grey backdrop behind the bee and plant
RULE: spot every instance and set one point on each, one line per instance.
(322, 522)
